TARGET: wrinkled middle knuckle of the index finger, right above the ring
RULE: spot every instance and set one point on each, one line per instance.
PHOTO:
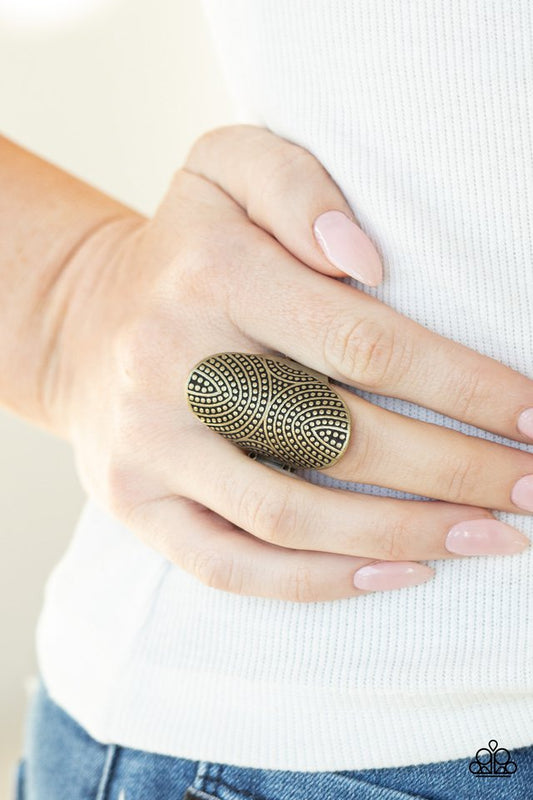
(363, 350)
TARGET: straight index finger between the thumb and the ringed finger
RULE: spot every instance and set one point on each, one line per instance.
(356, 339)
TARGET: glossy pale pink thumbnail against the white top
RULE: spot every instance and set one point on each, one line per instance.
(347, 247)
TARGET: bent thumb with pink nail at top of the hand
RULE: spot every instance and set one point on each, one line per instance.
(287, 192)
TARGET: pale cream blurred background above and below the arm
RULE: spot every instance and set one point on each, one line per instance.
(114, 91)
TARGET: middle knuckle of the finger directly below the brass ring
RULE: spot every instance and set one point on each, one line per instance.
(273, 518)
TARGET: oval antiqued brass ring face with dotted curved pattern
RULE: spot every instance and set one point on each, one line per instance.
(271, 406)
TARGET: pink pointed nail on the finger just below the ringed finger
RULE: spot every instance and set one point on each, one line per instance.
(478, 537)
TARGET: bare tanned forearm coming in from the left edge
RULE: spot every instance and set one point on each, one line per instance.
(49, 224)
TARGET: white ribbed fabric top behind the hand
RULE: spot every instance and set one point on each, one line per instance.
(422, 113)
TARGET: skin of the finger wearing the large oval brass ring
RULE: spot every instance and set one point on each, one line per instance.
(385, 449)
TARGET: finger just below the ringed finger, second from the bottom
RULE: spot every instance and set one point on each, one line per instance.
(291, 512)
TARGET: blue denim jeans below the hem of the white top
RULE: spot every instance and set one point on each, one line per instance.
(62, 762)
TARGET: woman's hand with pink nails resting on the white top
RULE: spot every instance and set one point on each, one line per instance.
(224, 265)
